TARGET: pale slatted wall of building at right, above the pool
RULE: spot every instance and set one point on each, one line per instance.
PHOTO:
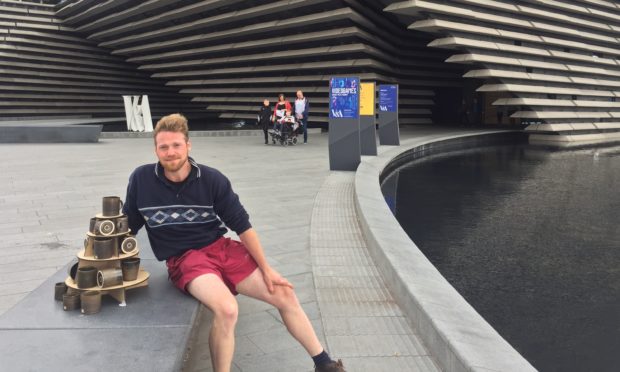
(552, 64)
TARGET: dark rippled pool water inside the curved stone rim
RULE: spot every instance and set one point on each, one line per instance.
(531, 238)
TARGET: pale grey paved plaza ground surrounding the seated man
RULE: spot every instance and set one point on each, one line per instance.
(50, 191)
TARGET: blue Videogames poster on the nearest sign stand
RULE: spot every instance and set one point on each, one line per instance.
(344, 97)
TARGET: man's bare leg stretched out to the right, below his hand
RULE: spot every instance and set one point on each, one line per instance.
(285, 300)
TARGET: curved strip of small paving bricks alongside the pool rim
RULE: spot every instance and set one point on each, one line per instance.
(362, 323)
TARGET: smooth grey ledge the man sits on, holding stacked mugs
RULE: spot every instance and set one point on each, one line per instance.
(149, 334)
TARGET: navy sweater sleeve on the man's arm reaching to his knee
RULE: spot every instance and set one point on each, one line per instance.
(228, 207)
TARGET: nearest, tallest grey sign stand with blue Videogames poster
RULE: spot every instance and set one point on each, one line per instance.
(344, 123)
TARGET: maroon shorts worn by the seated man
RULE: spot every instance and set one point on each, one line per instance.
(226, 258)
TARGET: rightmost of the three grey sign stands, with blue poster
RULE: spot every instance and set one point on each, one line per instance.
(388, 115)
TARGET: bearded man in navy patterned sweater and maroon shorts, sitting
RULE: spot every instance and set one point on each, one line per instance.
(182, 204)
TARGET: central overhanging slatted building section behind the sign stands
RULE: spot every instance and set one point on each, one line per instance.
(230, 55)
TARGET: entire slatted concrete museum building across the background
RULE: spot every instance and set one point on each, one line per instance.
(551, 66)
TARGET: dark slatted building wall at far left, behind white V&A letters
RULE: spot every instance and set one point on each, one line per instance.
(49, 71)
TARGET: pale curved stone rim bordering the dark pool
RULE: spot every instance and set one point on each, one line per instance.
(454, 332)
